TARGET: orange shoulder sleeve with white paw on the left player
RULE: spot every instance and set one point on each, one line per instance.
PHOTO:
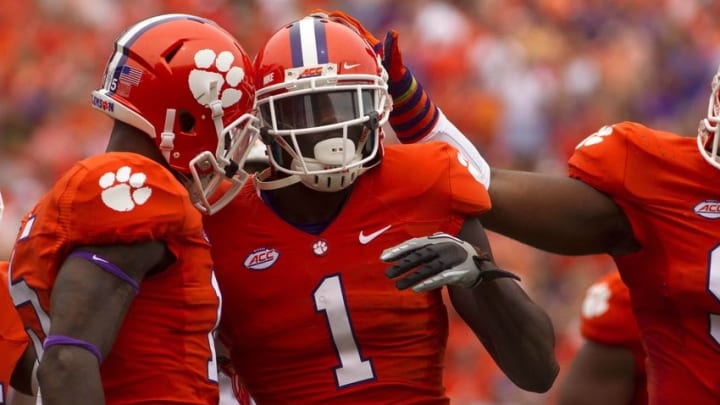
(122, 198)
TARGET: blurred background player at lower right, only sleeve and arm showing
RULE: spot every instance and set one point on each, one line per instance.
(609, 368)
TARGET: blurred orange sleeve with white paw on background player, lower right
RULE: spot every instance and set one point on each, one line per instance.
(607, 313)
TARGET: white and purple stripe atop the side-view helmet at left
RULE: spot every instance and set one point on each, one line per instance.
(128, 38)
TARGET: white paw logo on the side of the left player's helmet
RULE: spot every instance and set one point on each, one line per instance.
(200, 77)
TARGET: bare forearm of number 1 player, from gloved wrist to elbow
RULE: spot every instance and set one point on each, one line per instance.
(516, 332)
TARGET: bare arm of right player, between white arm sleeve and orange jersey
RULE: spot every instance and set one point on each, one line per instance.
(556, 213)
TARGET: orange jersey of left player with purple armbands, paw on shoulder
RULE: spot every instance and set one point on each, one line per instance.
(164, 350)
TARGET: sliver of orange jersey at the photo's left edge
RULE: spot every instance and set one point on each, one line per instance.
(13, 339)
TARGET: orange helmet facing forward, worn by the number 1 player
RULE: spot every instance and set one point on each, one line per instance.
(322, 97)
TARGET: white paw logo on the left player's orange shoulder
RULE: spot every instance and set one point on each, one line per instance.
(123, 190)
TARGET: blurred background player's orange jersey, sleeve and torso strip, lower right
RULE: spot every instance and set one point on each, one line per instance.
(607, 318)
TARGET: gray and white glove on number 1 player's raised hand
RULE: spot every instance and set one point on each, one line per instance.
(441, 259)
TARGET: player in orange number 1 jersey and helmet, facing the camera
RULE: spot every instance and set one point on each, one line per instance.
(309, 315)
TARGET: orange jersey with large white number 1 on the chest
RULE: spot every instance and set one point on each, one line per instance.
(312, 319)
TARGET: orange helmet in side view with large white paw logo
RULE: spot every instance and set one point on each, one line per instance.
(187, 83)
